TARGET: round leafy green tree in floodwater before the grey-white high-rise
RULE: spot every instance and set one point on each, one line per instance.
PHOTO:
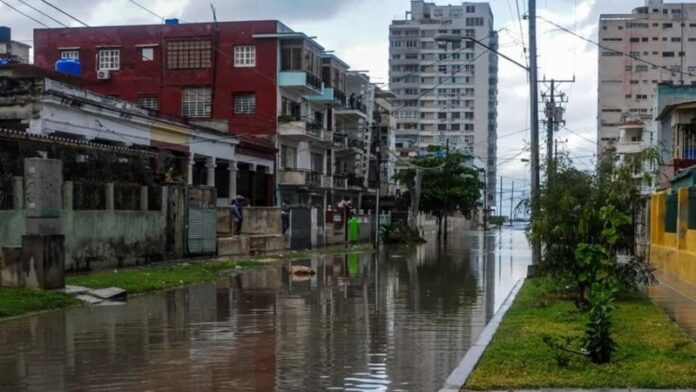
(448, 185)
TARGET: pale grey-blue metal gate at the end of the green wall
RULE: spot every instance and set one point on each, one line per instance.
(201, 221)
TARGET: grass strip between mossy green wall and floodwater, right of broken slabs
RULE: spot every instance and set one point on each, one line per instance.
(146, 279)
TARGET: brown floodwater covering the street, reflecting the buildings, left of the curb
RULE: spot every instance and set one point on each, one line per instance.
(399, 321)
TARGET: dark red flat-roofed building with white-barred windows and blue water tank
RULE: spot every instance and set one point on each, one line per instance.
(211, 74)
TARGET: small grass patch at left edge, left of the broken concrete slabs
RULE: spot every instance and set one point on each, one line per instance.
(14, 302)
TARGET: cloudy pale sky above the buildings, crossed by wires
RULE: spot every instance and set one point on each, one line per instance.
(358, 30)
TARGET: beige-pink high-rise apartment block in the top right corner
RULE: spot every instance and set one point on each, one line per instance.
(654, 44)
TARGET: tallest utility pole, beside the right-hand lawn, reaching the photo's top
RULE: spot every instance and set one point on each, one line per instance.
(534, 125)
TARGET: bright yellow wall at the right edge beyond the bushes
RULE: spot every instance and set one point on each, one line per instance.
(673, 254)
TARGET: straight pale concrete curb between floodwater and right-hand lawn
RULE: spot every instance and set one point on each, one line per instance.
(458, 377)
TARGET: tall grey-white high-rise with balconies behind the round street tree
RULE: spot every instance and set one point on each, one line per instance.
(445, 84)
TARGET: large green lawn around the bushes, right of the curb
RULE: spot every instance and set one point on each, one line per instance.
(653, 352)
